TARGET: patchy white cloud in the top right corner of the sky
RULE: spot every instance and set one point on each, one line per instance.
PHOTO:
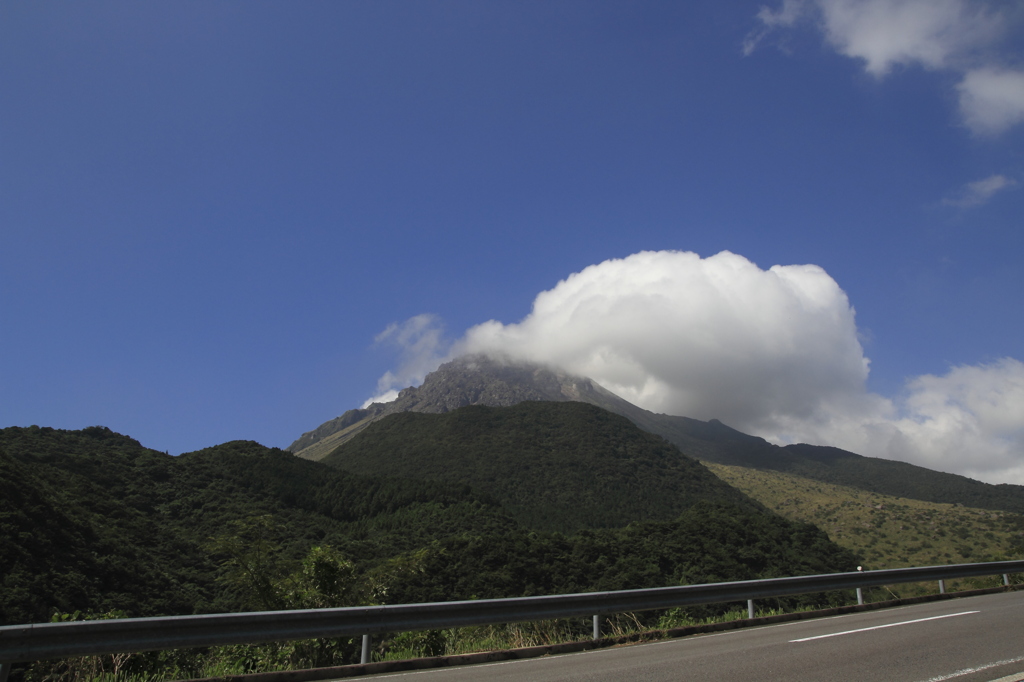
(956, 36)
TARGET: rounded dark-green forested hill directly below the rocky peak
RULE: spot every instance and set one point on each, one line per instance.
(554, 466)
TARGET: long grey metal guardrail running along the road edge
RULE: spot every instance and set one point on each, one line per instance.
(57, 641)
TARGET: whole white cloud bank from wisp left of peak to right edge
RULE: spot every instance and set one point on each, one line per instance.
(774, 353)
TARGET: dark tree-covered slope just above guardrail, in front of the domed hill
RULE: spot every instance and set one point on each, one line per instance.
(708, 543)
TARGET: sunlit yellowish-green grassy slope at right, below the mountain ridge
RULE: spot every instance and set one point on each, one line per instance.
(887, 532)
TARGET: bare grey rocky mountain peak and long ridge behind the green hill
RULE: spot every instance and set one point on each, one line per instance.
(482, 380)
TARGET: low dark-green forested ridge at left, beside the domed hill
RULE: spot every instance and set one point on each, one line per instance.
(93, 522)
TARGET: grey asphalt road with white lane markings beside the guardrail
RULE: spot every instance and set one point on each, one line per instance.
(976, 640)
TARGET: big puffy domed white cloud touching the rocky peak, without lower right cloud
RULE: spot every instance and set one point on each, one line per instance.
(706, 338)
